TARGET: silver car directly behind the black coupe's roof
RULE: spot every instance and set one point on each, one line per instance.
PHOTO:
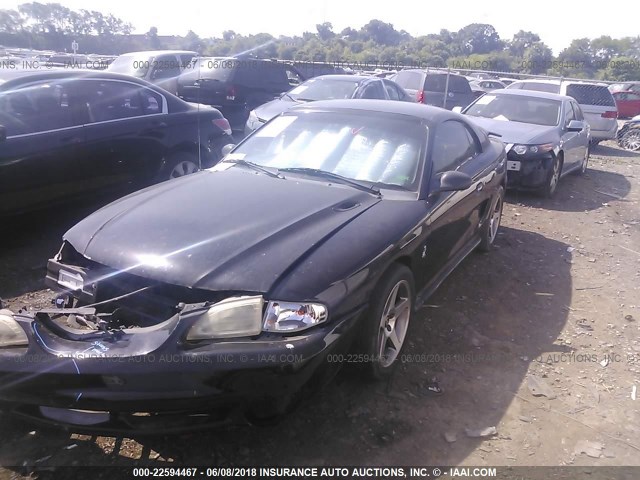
(327, 87)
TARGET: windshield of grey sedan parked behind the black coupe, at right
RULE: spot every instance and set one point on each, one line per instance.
(517, 108)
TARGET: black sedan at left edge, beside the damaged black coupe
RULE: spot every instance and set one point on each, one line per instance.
(69, 133)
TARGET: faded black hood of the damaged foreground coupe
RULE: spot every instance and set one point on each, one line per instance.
(218, 230)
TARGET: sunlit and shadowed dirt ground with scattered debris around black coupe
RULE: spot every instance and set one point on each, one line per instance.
(538, 339)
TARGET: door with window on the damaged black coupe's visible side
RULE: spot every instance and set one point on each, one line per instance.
(452, 217)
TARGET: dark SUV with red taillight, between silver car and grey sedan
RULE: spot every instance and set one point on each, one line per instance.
(438, 88)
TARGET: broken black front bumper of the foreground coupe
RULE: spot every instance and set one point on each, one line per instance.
(151, 380)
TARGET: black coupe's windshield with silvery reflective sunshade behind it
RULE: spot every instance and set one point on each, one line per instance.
(386, 150)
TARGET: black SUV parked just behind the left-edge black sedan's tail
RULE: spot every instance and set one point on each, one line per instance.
(237, 85)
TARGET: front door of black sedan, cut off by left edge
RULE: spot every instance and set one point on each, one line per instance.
(38, 157)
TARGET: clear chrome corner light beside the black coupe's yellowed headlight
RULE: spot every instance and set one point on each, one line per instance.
(293, 317)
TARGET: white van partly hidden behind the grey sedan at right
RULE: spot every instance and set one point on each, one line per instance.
(595, 100)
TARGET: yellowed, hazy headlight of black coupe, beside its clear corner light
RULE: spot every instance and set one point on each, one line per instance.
(232, 317)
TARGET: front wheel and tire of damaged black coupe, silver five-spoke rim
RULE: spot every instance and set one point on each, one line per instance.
(385, 322)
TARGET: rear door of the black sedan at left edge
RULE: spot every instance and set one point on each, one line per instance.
(126, 133)
